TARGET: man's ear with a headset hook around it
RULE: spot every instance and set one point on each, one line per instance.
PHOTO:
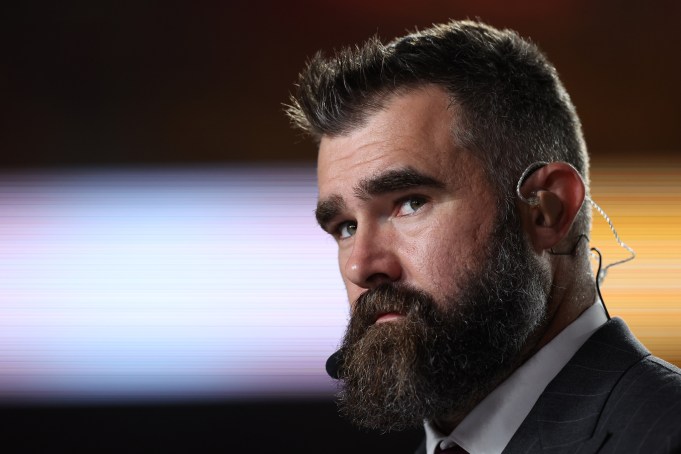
(556, 193)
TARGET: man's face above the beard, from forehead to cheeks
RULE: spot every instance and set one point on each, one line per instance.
(403, 203)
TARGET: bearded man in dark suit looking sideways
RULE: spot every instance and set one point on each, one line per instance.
(453, 175)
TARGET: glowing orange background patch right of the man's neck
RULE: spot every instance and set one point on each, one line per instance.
(643, 199)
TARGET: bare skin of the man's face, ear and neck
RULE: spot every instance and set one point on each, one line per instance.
(429, 231)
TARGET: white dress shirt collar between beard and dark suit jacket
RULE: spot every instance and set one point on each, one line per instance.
(489, 427)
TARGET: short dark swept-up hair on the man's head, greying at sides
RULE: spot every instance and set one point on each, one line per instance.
(512, 109)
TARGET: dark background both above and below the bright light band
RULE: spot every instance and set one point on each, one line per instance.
(91, 84)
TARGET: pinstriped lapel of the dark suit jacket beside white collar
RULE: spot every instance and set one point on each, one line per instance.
(567, 414)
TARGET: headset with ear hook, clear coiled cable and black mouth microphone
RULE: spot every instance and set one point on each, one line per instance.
(334, 364)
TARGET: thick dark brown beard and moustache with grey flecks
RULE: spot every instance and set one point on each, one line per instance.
(441, 359)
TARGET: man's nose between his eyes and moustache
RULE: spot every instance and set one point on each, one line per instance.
(373, 260)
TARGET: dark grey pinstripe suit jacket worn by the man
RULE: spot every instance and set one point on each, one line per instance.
(613, 396)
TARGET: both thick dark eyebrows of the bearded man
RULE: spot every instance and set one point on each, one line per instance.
(386, 182)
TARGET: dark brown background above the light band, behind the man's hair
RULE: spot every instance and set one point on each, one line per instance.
(134, 82)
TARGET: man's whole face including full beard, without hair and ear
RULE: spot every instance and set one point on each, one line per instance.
(443, 297)
